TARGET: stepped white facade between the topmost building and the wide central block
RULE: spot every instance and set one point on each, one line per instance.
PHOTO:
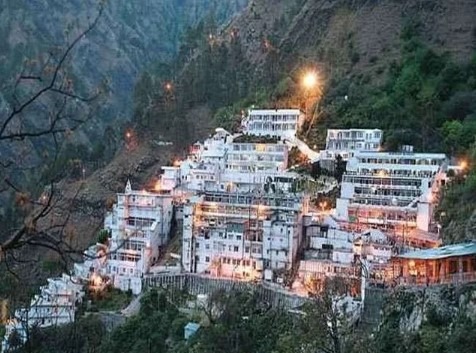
(221, 164)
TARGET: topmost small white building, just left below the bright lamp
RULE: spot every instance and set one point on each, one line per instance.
(280, 123)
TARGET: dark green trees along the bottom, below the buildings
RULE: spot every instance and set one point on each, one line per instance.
(241, 323)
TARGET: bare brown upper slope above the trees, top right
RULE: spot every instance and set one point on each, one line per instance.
(352, 35)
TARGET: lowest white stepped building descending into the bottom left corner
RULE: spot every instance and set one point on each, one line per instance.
(54, 305)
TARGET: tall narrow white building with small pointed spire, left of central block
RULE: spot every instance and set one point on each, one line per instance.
(139, 225)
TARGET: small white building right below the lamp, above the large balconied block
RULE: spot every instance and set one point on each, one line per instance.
(345, 142)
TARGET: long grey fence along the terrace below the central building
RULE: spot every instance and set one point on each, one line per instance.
(199, 284)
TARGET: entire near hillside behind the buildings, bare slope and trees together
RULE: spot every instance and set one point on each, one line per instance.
(387, 64)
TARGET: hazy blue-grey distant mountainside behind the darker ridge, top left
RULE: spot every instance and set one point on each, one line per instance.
(129, 37)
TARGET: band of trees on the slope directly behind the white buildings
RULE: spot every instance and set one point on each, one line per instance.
(426, 100)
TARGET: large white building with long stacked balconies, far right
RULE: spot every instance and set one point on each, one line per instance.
(396, 191)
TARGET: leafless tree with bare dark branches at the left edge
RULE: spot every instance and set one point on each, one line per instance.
(43, 106)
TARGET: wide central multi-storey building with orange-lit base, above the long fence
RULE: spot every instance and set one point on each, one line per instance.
(241, 234)
